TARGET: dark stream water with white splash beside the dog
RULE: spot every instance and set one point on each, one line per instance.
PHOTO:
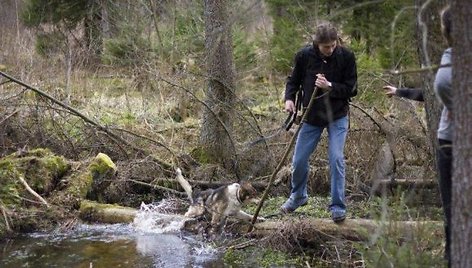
(147, 242)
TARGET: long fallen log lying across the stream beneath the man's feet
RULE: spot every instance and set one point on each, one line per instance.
(309, 230)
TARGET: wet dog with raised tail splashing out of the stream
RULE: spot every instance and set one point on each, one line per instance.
(225, 201)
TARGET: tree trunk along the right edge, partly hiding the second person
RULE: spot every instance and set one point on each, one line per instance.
(461, 228)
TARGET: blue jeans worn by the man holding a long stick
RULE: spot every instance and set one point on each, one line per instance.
(307, 141)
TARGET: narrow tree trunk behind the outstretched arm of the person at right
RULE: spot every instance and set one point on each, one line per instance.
(430, 47)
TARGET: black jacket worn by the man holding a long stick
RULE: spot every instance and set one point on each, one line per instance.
(339, 69)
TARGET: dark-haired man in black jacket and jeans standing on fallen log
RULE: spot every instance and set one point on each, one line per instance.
(332, 69)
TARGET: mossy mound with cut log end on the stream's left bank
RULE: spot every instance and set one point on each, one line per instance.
(64, 184)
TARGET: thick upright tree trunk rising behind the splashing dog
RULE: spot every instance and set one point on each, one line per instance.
(217, 116)
